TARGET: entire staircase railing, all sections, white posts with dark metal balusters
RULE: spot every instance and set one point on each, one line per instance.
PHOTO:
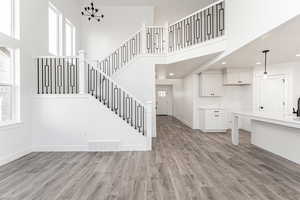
(57, 76)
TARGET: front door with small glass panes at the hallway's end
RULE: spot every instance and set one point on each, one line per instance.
(164, 100)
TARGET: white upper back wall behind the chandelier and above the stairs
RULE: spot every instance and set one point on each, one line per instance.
(119, 24)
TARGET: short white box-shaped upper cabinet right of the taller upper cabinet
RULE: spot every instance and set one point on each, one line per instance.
(238, 76)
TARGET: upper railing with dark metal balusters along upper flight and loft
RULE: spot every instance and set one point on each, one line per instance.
(192, 31)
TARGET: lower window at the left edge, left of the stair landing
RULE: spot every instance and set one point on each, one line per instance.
(8, 85)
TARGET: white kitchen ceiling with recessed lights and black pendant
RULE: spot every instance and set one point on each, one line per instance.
(283, 43)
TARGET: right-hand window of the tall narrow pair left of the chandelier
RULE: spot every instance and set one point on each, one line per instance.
(69, 38)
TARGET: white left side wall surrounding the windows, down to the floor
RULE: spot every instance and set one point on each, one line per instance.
(16, 140)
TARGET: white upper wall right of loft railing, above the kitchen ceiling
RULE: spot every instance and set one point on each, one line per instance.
(248, 20)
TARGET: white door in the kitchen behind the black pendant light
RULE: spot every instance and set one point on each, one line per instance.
(272, 95)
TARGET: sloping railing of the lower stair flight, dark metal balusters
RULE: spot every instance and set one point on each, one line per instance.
(116, 99)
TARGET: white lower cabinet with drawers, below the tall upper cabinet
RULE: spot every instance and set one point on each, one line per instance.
(212, 120)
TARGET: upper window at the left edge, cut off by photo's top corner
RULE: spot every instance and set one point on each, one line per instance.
(9, 18)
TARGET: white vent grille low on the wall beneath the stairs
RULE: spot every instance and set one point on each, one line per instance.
(104, 145)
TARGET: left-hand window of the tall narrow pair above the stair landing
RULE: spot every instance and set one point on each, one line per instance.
(55, 31)
